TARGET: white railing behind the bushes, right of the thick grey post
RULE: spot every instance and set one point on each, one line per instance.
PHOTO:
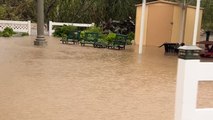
(51, 24)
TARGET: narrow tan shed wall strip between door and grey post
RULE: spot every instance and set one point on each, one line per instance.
(176, 24)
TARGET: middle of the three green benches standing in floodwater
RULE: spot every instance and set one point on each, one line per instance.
(90, 38)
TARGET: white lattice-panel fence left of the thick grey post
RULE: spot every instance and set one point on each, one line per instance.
(17, 26)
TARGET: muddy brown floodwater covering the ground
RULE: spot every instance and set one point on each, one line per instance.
(70, 82)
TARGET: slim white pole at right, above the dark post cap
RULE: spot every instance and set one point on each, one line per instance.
(197, 16)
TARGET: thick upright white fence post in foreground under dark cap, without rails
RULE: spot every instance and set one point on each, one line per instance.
(186, 90)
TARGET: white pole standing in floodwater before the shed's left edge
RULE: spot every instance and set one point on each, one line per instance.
(142, 26)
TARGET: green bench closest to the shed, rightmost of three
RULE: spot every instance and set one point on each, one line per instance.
(119, 42)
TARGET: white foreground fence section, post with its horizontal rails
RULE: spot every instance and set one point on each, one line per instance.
(190, 73)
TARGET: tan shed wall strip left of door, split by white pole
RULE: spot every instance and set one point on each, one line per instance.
(138, 24)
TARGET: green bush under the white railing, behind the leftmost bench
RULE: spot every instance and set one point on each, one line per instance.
(60, 31)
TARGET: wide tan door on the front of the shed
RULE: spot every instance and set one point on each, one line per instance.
(160, 19)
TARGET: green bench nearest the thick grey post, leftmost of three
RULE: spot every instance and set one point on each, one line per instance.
(73, 37)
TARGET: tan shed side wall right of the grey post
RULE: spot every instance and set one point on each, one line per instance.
(189, 29)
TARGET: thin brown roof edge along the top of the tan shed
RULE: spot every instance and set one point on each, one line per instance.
(166, 2)
